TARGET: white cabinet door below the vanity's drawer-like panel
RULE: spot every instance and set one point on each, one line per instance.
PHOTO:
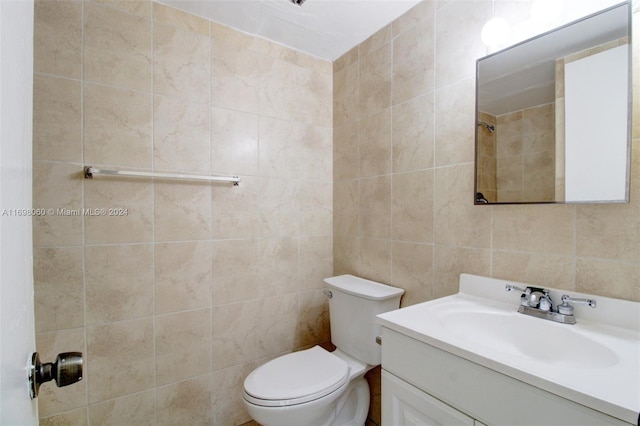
(406, 405)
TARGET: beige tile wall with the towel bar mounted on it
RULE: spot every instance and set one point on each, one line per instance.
(176, 301)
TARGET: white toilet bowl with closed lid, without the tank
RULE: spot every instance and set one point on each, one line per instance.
(312, 387)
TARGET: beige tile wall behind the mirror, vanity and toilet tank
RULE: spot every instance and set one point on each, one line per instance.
(403, 201)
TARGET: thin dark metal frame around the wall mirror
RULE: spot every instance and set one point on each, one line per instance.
(478, 198)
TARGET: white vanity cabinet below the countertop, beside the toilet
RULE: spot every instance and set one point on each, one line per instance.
(425, 385)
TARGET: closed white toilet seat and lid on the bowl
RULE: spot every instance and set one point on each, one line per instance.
(296, 378)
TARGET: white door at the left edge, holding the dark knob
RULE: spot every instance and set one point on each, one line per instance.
(17, 334)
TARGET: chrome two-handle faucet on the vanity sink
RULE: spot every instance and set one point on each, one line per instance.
(537, 302)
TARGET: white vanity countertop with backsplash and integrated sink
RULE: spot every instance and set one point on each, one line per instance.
(595, 362)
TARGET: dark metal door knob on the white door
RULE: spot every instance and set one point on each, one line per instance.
(65, 370)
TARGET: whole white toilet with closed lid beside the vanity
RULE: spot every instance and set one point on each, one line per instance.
(315, 387)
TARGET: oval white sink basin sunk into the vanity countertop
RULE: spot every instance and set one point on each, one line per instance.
(522, 336)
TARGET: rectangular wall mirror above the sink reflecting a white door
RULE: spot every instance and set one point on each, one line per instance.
(553, 115)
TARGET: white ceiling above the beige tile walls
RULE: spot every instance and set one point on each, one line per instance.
(325, 29)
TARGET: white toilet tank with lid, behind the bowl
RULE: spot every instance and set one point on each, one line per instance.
(353, 307)
